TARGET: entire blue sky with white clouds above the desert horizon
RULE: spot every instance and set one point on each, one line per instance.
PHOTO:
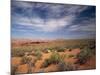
(52, 21)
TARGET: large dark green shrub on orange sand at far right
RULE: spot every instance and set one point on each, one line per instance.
(84, 55)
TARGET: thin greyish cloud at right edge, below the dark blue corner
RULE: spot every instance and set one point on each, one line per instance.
(84, 25)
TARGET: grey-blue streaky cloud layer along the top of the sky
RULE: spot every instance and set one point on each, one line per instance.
(50, 10)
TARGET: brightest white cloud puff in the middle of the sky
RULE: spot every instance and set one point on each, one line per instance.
(56, 24)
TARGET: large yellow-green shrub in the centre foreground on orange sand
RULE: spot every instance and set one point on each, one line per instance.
(55, 58)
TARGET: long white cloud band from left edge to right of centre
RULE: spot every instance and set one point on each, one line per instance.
(48, 25)
